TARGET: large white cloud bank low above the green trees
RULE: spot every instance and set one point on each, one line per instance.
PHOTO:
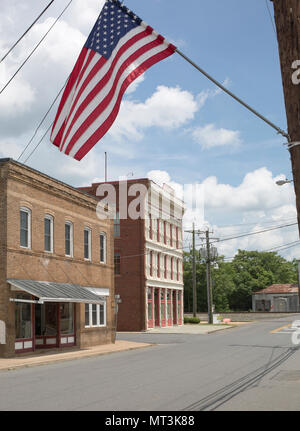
(258, 203)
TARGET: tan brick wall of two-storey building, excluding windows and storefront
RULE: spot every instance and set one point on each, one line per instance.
(41, 194)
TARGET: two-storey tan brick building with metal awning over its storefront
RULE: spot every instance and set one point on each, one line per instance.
(56, 266)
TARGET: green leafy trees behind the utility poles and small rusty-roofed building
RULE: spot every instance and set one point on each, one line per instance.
(234, 282)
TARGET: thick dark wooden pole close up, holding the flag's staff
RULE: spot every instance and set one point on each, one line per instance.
(287, 19)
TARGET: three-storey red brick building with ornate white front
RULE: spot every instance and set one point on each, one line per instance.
(148, 253)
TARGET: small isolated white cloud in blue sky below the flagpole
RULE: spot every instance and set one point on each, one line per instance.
(210, 136)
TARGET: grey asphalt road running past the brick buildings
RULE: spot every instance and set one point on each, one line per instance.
(245, 368)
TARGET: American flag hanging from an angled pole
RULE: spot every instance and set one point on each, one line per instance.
(119, 49)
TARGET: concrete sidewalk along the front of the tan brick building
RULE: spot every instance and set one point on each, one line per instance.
(48, 357)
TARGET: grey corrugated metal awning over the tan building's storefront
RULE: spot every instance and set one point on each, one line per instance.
(48, 291)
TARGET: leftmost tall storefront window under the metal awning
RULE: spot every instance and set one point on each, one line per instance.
(23, 322)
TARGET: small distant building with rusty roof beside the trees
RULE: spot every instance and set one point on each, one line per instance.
(277, 298)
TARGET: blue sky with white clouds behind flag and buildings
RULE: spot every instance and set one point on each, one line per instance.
(174, 125)
